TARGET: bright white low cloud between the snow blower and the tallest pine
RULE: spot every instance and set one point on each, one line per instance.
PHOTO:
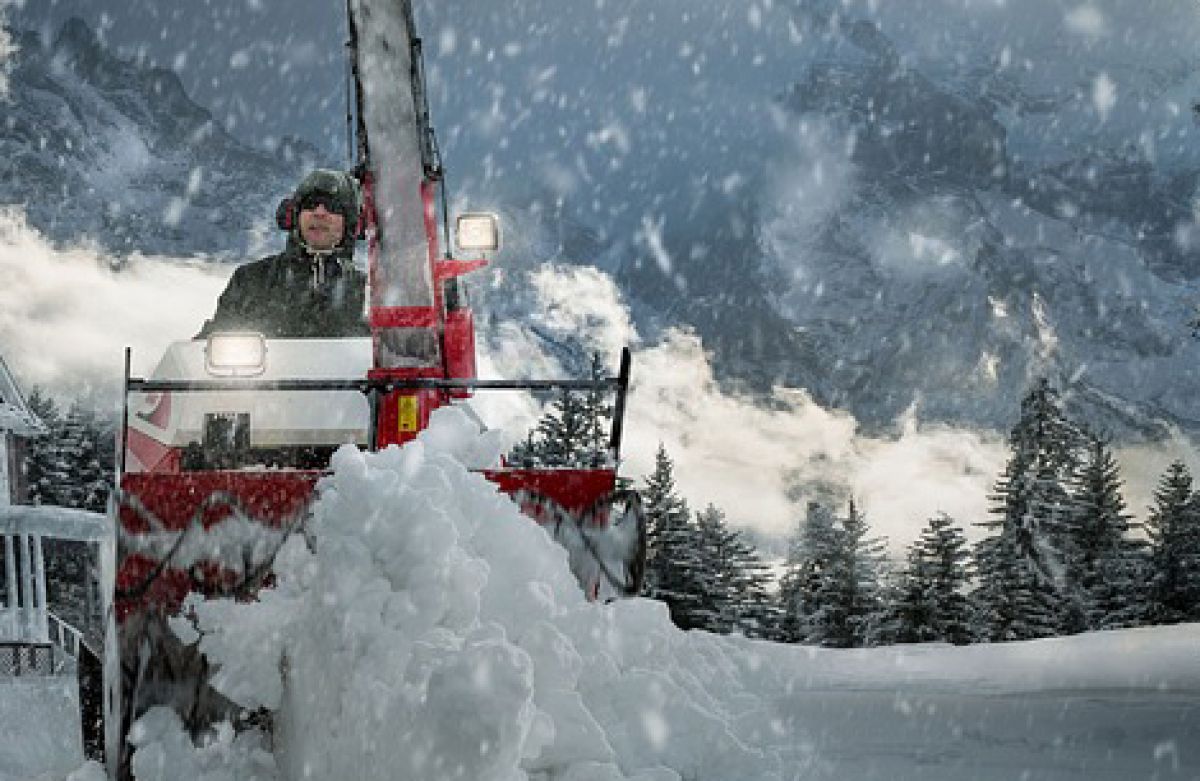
(759, 460)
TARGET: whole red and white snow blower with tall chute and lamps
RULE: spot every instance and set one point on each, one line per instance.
(224, 446)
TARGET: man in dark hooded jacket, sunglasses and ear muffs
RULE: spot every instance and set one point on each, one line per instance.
(313, 289)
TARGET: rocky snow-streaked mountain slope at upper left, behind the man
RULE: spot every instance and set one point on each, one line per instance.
(112, 152)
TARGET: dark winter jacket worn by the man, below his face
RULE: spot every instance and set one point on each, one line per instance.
(293, 296)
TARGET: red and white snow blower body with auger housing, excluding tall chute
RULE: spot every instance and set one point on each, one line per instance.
(218, 473)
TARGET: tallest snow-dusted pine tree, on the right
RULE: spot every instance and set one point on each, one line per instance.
(1021, 566)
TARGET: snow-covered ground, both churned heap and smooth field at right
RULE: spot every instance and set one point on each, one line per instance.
(434, 633)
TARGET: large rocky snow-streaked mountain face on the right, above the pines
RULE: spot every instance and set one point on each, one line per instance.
(911, 259)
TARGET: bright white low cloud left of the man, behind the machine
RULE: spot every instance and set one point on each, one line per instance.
(68, 315)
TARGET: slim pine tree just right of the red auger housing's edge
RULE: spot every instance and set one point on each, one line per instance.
(674, 568)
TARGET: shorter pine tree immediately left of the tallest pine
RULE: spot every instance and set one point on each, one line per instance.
(932, 604)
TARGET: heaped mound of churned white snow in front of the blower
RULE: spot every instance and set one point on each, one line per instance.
(431, 632)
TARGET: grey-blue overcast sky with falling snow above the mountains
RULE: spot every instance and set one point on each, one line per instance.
(632, 109)
